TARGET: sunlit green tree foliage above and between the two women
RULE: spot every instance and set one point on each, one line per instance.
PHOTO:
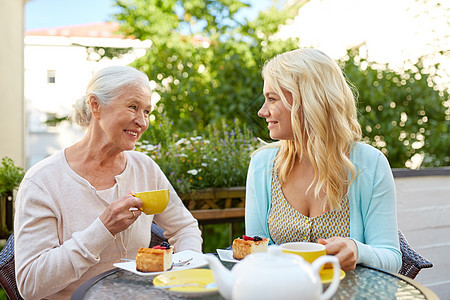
(205, 60)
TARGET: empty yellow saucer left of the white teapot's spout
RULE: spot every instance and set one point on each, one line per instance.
(199, 276)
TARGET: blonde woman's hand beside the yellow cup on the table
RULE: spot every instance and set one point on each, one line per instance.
(344, 249)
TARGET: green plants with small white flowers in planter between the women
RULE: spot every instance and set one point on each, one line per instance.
(216, 157)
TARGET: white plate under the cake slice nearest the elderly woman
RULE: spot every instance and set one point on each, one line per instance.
(197, 261)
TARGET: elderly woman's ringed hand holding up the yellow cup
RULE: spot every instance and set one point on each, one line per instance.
(118, 216)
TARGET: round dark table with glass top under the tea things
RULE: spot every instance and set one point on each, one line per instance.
(362, 283)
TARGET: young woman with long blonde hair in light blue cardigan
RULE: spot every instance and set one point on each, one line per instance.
(319, 183)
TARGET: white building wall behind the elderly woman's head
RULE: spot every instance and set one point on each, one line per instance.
(72, 67)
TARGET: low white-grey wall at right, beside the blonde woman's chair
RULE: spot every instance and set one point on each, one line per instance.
(423, 216)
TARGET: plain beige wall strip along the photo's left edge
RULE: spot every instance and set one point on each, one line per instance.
(11, 80)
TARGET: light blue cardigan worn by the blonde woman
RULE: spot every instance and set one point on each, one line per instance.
(372, 200)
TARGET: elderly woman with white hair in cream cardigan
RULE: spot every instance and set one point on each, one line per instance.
(74, 213)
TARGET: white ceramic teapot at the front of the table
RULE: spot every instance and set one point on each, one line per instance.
(274, 275)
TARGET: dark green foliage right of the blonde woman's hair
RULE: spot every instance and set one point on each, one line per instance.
(402, 113)
